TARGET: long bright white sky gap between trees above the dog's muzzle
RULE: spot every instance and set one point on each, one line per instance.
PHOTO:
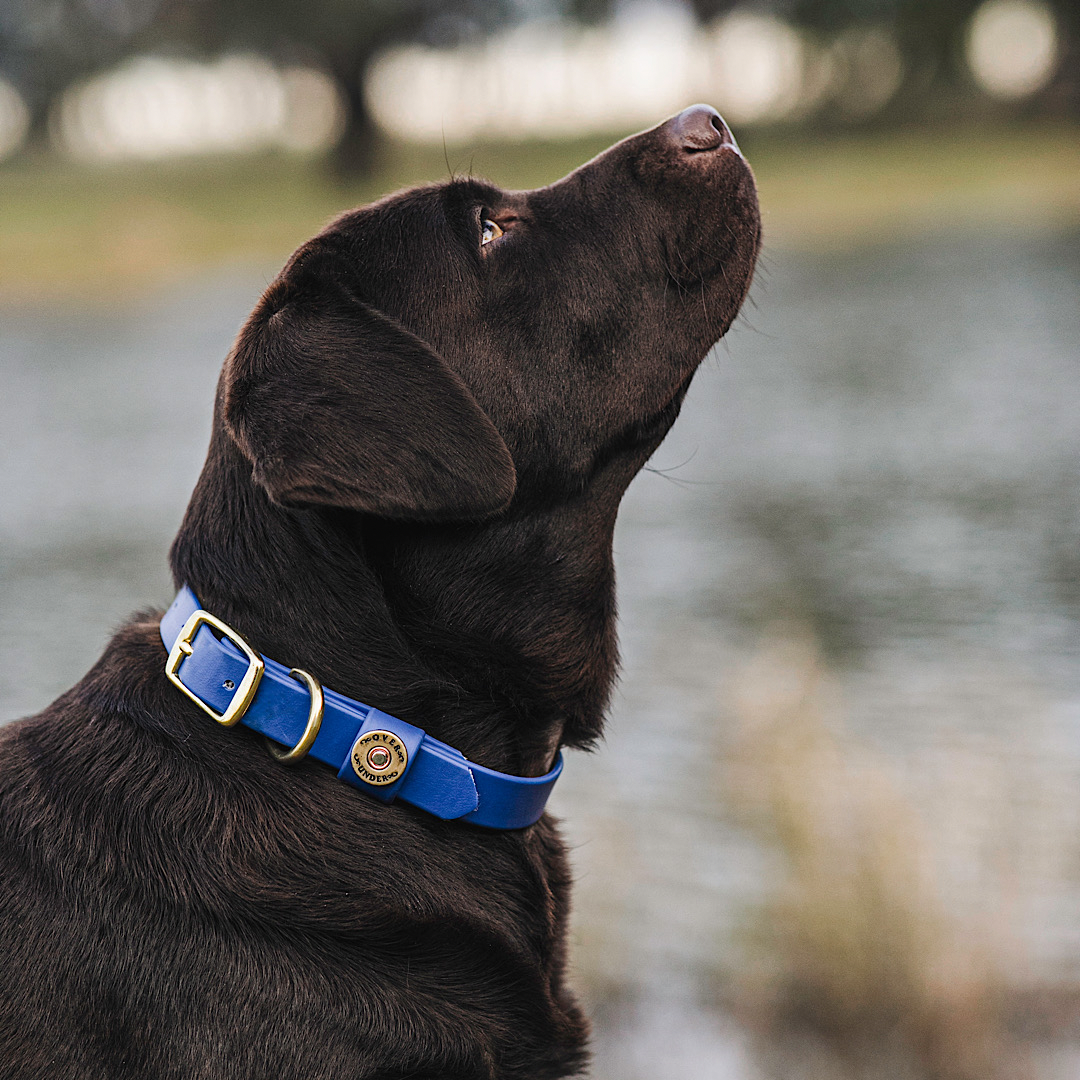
(553, 80)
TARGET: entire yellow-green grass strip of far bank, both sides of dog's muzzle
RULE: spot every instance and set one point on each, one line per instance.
(104, 234)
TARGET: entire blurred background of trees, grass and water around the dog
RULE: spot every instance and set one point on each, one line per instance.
(849, 582)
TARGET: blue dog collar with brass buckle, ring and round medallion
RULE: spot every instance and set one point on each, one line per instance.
(380, 754)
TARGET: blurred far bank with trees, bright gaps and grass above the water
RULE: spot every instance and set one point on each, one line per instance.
(144, 139)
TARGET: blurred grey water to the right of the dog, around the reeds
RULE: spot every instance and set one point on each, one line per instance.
(886, 450)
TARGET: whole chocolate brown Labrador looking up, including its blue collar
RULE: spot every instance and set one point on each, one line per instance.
(421, 441)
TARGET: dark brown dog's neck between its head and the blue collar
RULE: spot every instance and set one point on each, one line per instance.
(497, 638)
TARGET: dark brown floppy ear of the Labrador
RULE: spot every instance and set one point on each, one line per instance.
(336, 406)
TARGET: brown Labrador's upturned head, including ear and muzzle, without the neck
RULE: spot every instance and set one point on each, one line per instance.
(449, 350)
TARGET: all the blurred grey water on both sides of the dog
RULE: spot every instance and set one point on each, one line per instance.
(885, 452)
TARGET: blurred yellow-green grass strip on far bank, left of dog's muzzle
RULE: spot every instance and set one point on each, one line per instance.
(110, 233)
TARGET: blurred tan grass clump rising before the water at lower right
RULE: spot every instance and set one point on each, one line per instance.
(855, 969)
